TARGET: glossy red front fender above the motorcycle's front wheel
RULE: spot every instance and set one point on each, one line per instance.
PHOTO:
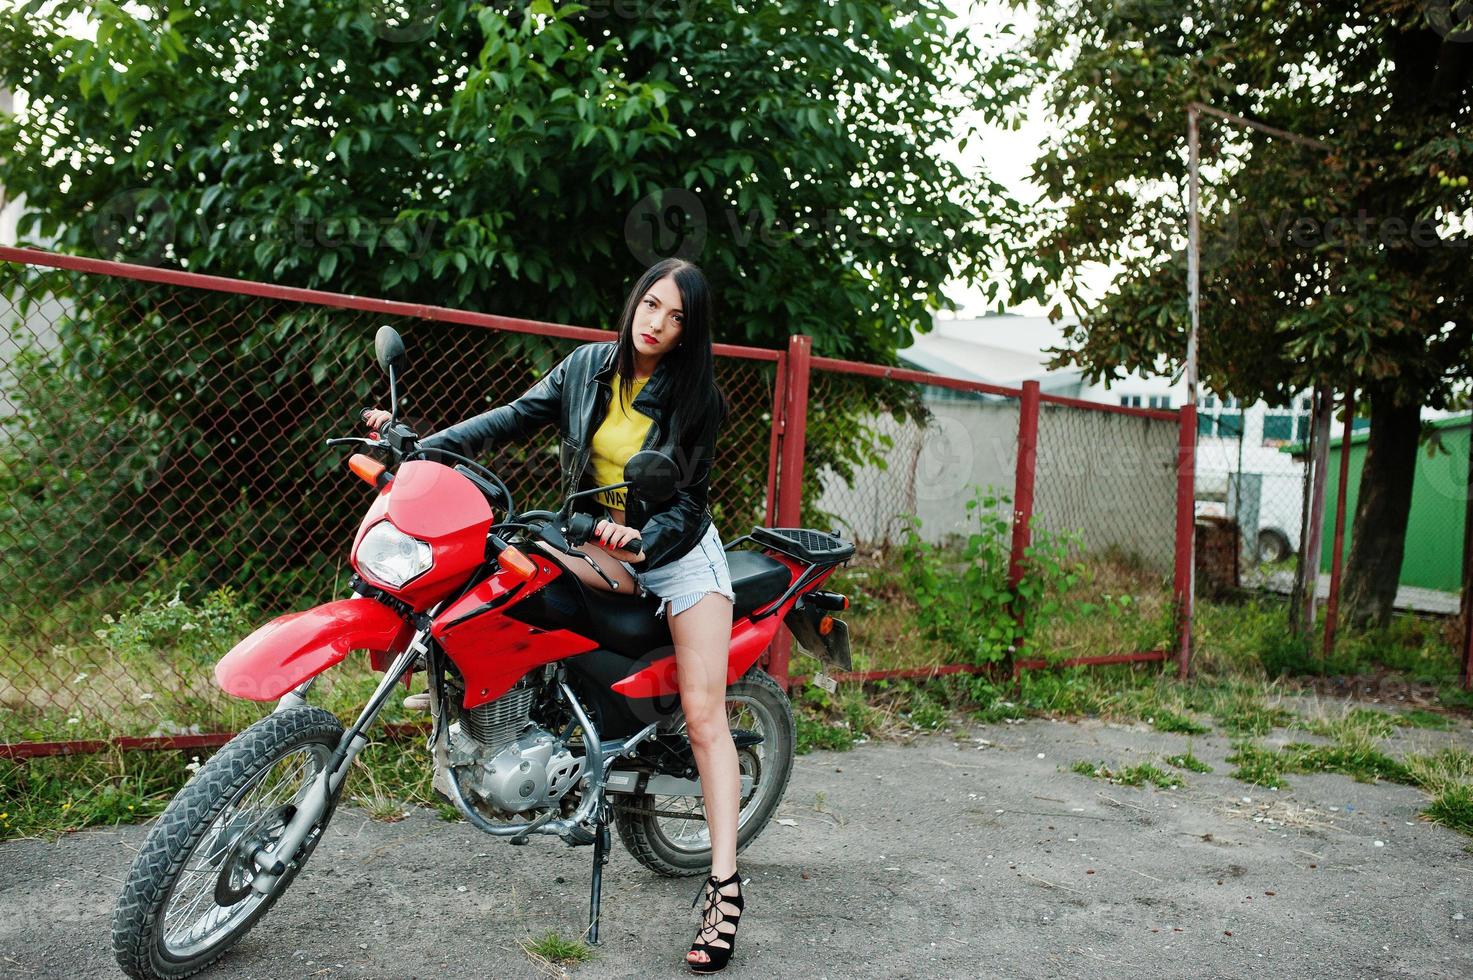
(292, 649)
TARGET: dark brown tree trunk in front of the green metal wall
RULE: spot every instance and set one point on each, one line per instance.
(1379, 536)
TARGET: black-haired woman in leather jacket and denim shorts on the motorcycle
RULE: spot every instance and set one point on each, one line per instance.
(662, 396)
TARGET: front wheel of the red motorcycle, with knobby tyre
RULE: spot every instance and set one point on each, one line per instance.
(189, 895)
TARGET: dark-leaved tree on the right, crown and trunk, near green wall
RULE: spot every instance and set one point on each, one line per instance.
(1347, 266)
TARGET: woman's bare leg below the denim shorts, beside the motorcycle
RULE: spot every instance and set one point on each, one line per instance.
(702, 637)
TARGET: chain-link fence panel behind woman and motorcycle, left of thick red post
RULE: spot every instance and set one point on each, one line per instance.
(164, 486)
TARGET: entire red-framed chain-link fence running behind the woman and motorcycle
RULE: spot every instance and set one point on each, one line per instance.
(167, 489)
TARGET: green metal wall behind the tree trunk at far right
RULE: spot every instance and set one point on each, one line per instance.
(1434, 556)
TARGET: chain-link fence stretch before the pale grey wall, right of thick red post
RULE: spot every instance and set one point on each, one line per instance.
(936, 465)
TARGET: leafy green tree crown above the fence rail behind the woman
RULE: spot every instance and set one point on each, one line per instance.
(521, 158)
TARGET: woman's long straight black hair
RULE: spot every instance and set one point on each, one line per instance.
(693, 396)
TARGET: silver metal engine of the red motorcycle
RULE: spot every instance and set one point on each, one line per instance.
(507, 761)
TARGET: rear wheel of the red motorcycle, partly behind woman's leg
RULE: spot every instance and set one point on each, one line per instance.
(668, 833)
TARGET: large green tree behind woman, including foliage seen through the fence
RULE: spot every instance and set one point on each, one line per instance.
(519, 158)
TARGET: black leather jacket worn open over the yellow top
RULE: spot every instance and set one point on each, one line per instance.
(577, 396)
